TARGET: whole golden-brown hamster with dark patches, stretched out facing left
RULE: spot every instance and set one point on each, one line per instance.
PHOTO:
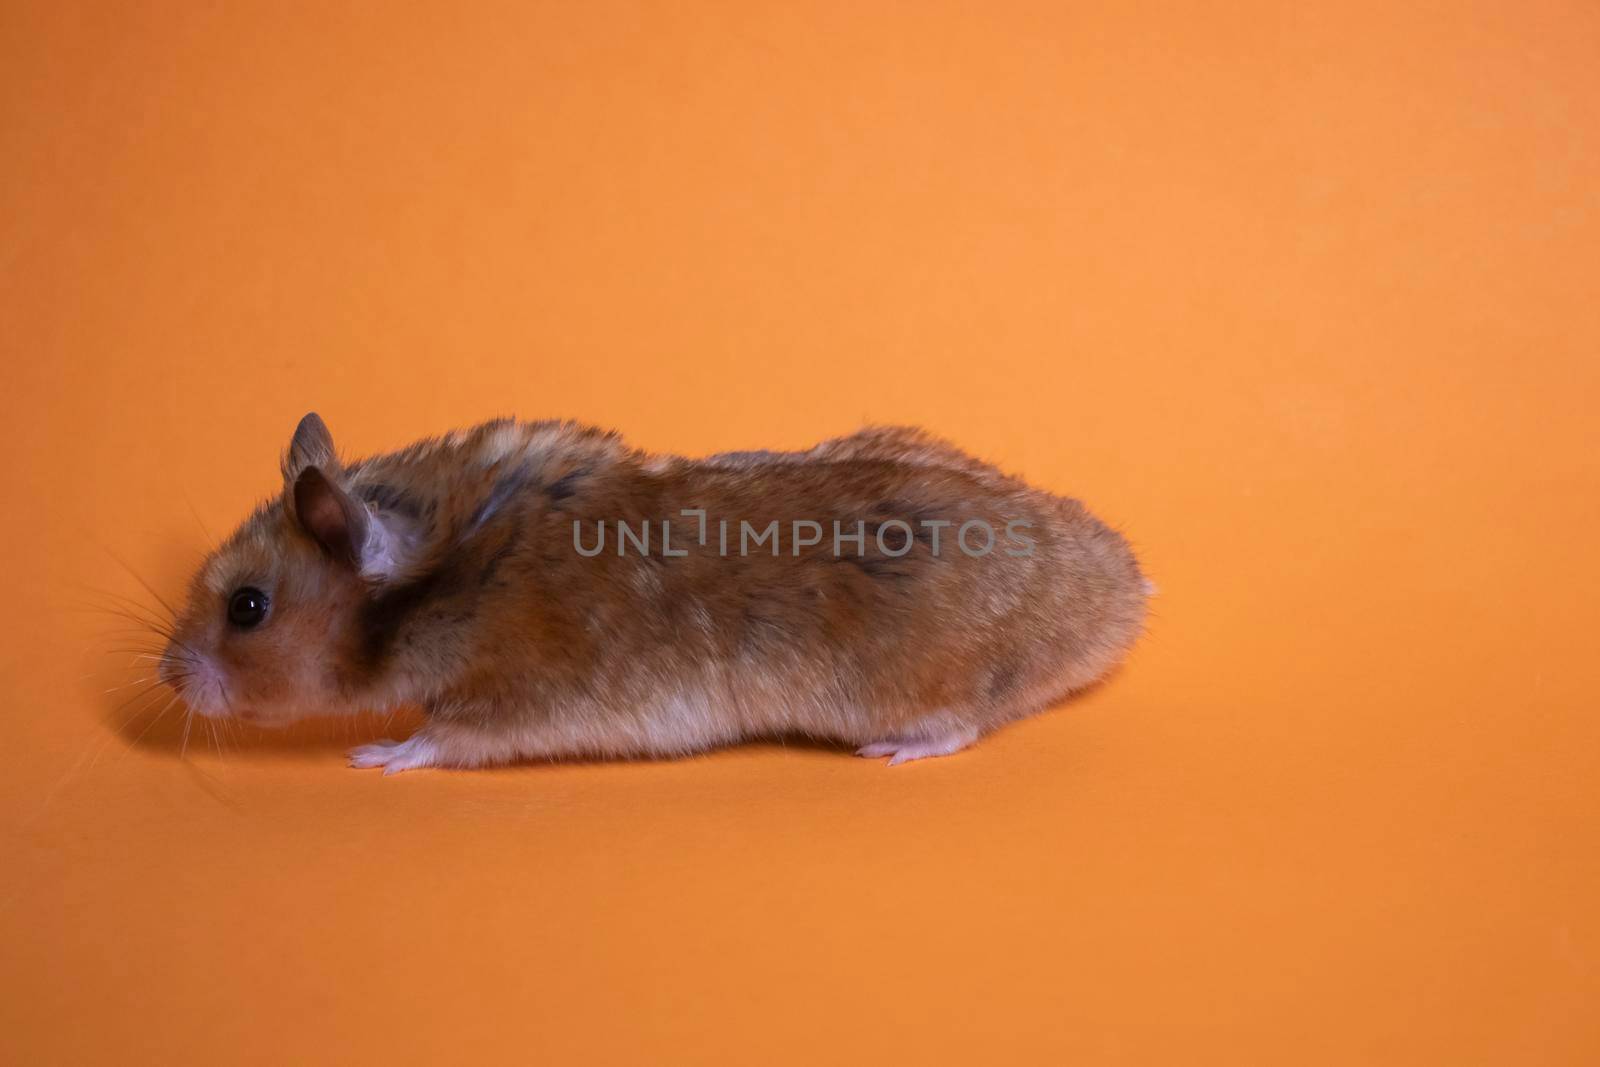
(543, 591)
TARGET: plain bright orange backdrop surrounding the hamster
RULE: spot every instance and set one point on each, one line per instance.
(1302, 297)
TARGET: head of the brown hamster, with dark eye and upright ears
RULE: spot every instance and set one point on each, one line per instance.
(271, 629)
